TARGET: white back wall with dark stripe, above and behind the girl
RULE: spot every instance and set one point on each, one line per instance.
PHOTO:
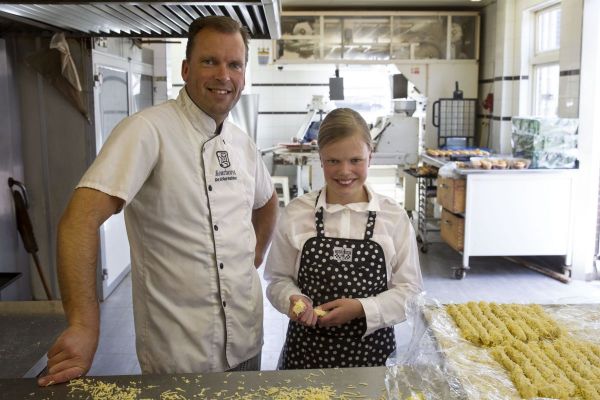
(286, 92)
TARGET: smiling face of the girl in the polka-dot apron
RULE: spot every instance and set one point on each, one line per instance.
(345, 163)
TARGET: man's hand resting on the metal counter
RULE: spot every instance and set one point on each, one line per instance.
(71, 355)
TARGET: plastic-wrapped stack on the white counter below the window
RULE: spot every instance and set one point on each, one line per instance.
(548, 142)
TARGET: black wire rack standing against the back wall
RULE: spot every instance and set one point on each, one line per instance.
(455, 120)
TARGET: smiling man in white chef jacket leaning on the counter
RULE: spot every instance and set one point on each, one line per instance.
(199, 210)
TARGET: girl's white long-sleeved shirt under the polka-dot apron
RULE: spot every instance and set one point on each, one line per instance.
(393, 231)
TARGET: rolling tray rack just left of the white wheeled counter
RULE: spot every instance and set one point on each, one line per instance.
(426, 222)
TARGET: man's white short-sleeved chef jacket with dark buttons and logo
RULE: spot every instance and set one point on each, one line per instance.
(189, 198)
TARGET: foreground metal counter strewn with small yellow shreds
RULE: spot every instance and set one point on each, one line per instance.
(351, 383)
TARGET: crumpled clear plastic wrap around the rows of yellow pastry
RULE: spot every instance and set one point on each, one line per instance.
(440, 364)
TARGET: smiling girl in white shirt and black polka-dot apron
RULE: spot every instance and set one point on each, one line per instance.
(346, 252)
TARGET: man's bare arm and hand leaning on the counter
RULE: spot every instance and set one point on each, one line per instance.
(77, 253)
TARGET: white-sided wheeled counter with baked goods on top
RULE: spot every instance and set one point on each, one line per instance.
(515, 212)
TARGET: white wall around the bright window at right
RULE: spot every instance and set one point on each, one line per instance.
(507, 65)
